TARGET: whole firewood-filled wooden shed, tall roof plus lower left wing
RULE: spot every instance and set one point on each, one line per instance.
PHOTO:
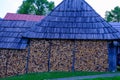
(73, 37)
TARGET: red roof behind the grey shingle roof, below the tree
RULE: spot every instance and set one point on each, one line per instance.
(13, 16)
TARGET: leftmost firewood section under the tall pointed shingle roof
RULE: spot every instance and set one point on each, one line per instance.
(38, 56)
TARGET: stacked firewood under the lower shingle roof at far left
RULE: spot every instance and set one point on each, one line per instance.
(12, 62)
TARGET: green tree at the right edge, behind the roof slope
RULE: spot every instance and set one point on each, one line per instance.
(113, 15)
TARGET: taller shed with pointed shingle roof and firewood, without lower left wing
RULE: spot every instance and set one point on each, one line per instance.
(73, 37)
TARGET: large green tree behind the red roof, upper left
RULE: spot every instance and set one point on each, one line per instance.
(37, 7)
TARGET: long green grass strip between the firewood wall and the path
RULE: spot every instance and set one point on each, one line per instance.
(50, 75)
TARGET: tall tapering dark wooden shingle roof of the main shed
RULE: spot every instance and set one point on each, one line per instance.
(74, 19)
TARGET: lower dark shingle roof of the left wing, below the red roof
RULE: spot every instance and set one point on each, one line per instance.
(11, 33)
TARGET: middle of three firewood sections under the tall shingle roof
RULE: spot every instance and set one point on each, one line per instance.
(61, 55)
